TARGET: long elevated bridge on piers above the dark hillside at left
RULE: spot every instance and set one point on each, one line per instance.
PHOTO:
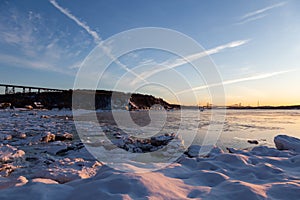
(11, 89)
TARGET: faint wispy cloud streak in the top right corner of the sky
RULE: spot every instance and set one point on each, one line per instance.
(258, 14)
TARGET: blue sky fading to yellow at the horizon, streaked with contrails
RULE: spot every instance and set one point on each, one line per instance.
(254, 46)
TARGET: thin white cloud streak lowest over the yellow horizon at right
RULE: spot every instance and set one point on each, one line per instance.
(239, 80)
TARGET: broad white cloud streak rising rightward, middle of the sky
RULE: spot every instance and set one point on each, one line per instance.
(169, 64)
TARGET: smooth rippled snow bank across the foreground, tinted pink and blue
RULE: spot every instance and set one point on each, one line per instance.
(261, 173)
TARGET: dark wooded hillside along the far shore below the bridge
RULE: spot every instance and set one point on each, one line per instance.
(85, 99)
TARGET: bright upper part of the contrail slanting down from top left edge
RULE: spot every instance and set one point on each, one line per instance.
(66, 12)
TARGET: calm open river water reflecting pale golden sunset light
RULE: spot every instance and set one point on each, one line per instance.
(230, 128)
